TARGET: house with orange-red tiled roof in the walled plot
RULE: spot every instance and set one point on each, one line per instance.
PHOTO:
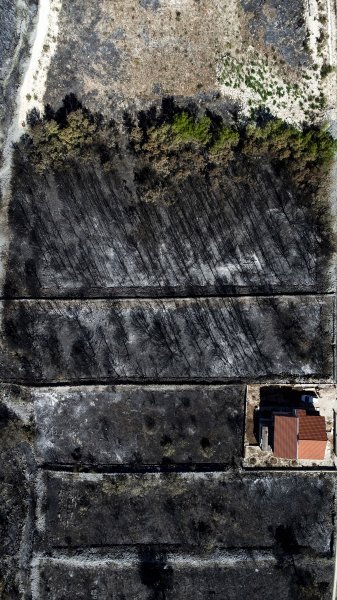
(300, 436)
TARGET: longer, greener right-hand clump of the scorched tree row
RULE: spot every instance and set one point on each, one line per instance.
(192, 144)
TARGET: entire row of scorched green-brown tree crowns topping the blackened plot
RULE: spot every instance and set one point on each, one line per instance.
(184, 144)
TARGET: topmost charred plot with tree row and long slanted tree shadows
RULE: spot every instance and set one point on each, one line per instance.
(172, 204)
